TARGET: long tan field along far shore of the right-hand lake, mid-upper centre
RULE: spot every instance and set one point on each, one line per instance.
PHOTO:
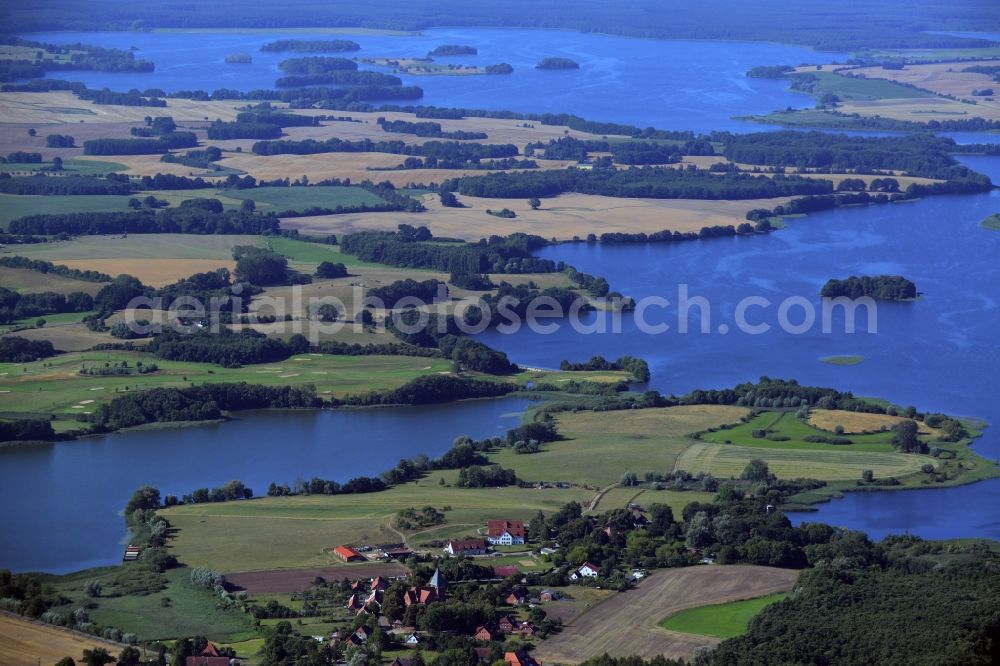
(561, 217)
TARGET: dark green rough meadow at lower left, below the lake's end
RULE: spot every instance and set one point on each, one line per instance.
(189, 611)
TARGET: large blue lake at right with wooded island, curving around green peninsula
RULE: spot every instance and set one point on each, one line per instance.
(939, 353)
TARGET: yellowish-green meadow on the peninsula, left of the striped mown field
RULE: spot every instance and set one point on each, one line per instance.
(636, 441)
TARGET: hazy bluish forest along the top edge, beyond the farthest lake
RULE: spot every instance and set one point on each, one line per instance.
(846, 26)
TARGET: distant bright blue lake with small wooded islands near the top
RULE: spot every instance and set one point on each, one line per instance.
(669, 84)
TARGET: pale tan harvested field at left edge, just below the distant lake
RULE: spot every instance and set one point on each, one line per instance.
(66, 108)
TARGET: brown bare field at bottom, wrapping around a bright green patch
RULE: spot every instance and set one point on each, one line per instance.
(628, 623)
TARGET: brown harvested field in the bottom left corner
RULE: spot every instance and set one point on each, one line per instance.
(24, 643)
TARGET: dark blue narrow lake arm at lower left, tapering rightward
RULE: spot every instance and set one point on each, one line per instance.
(63, 502)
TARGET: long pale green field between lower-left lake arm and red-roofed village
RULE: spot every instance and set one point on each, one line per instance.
(289, 532)
